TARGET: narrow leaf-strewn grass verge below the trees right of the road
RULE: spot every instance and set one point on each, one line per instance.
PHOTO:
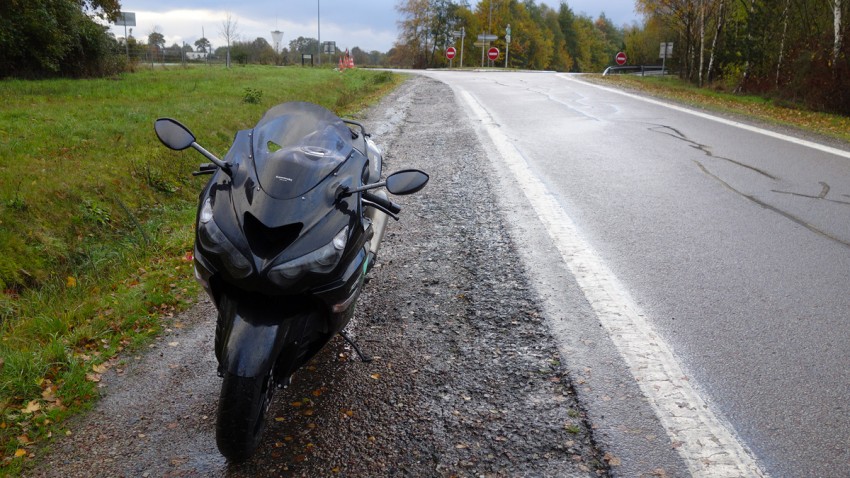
(760, 108)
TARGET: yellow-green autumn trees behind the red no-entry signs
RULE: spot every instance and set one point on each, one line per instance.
(542, 38)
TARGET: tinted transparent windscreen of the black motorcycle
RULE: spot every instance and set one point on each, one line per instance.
(296, 146)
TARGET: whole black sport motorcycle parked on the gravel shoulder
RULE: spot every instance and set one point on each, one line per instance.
(288, 227)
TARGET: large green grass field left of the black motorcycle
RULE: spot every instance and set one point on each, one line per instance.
(96, 219)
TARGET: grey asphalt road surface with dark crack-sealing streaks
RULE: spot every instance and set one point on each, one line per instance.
(731, 245)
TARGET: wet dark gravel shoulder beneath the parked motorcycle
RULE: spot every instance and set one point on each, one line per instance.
(466, 379)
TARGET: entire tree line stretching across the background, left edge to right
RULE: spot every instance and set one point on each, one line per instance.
(793, 50)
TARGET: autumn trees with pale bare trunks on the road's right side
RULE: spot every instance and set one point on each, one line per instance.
(794, 50)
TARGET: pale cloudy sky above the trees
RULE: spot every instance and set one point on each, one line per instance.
(368, 24)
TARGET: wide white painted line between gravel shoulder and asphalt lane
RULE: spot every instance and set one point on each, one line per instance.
(707, 444)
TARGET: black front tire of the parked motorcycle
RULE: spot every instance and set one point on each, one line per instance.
(242, 409)
